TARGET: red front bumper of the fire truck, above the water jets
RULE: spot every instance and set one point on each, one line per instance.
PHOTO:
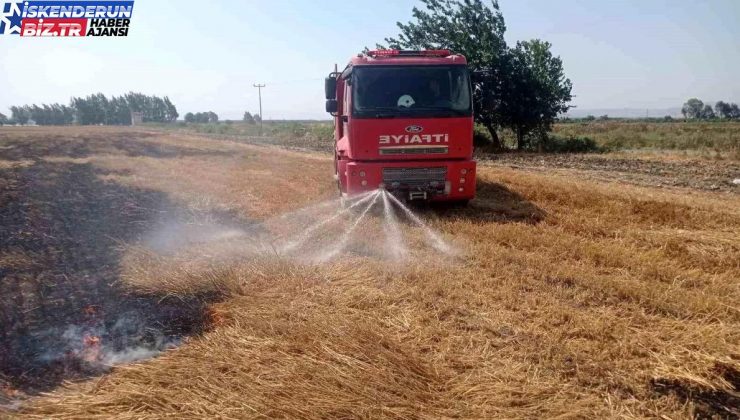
(429, 180)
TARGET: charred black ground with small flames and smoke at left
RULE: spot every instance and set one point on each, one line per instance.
(63, 314)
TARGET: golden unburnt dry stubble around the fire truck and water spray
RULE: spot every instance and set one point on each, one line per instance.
(573, 299)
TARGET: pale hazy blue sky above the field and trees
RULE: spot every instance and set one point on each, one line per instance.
(206, 55)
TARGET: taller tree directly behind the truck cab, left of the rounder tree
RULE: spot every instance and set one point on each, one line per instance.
(475, 30)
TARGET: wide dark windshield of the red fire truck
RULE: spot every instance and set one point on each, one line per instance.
(398, 91)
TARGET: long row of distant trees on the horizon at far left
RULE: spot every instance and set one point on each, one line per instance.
(96, 109)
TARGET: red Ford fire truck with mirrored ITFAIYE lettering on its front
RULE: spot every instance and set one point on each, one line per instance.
(403, 121)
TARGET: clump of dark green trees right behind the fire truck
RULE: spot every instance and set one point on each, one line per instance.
(522, 88)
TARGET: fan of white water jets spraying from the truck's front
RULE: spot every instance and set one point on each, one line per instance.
(315, 234)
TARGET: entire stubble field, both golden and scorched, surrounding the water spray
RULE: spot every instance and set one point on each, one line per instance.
(571, 296)
